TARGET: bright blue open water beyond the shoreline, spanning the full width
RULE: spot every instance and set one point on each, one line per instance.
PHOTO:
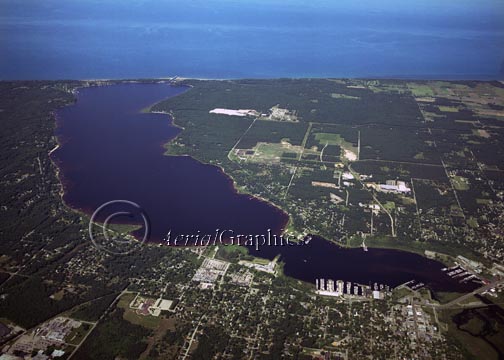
(55, 39)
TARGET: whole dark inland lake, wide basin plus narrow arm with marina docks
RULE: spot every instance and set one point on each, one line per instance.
(110, 150)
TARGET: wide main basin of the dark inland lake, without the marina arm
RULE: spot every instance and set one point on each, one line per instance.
(112, 151)
